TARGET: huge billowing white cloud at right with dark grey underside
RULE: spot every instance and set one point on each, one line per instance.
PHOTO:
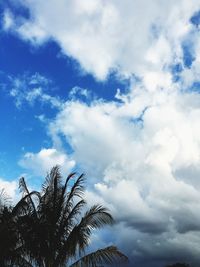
(139, 156)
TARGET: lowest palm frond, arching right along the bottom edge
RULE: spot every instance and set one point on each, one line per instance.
(108, 255)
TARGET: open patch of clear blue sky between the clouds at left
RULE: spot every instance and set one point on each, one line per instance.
(19, 60)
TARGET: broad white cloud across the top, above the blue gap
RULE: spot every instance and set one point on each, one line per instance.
(131, 37)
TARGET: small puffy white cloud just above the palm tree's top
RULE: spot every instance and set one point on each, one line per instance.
(40, 163)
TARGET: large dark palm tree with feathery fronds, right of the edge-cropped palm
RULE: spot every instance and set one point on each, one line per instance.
(54, 228)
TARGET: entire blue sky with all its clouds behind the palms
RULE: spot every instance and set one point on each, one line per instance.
(111, 89)
